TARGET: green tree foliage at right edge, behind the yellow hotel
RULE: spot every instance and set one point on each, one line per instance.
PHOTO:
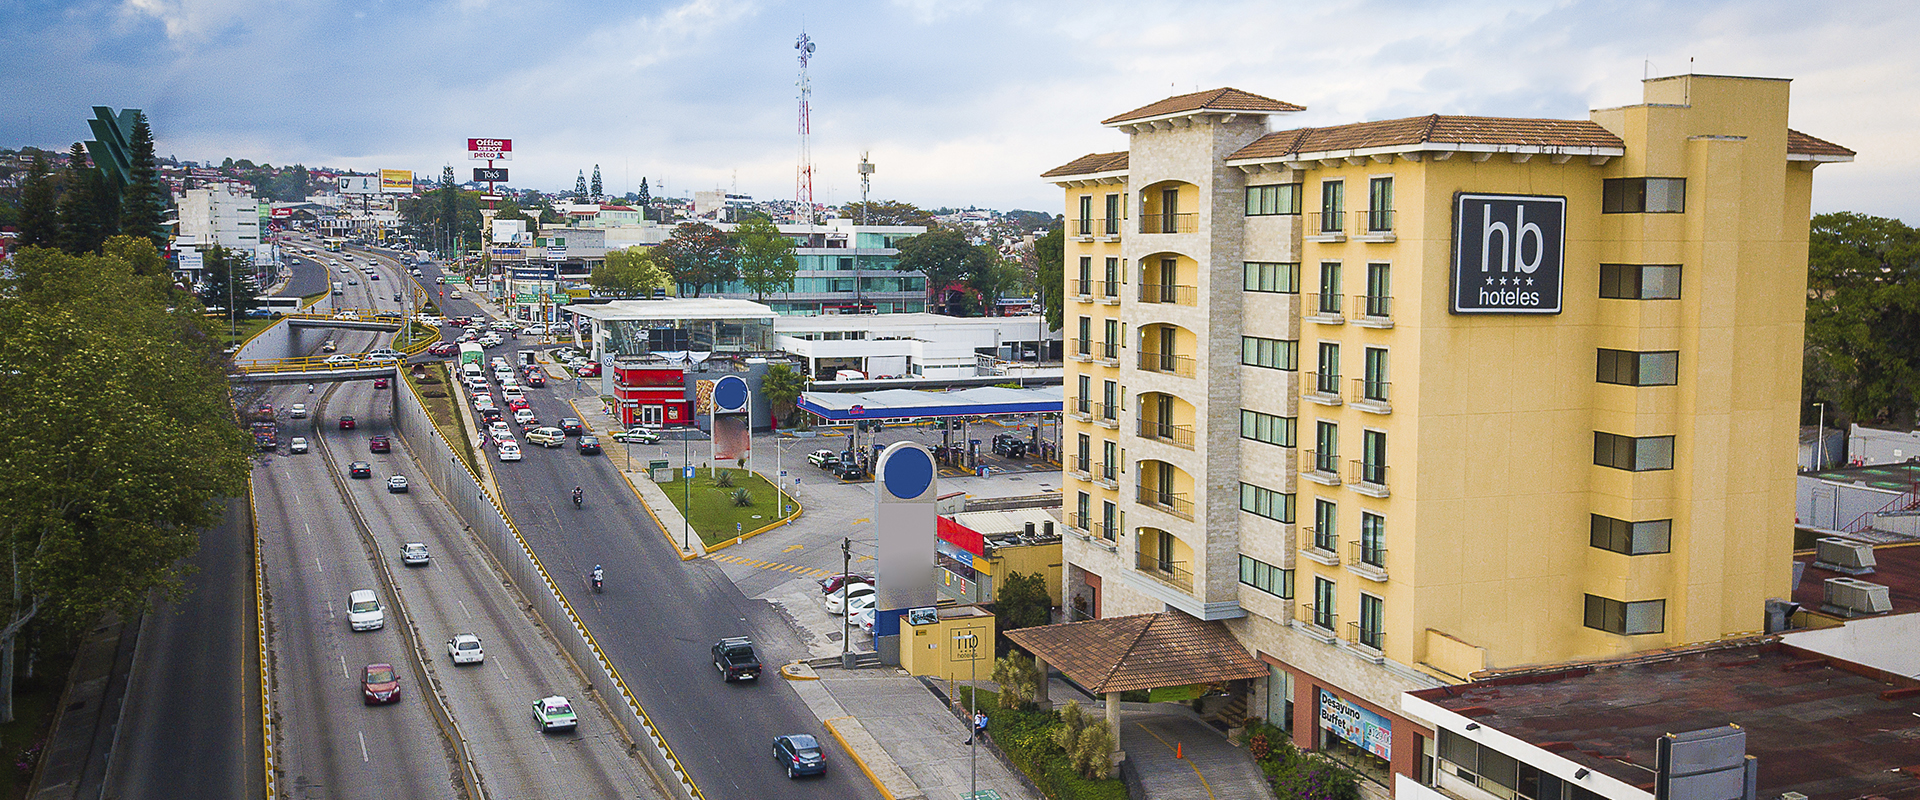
(1863, 319)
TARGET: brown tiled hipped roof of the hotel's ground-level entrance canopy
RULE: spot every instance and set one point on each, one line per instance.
(1143, 651)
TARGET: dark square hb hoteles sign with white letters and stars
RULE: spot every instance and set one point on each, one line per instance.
(1510, 254)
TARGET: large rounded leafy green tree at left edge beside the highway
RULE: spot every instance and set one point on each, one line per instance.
(93, 525)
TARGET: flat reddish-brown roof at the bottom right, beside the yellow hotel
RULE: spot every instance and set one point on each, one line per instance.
(1821, 728)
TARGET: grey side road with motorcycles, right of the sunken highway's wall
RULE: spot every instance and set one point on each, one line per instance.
(660, 617)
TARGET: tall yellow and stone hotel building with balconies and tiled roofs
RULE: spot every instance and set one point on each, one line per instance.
(1410, 400)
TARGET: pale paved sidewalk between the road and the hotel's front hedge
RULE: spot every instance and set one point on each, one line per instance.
(905, 738)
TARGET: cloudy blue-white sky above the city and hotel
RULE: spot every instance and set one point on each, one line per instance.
(959, 103)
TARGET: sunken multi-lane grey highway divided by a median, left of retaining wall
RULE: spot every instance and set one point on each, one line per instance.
(318, 550)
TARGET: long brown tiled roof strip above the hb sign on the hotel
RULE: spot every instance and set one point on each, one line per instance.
(1387, 133)
